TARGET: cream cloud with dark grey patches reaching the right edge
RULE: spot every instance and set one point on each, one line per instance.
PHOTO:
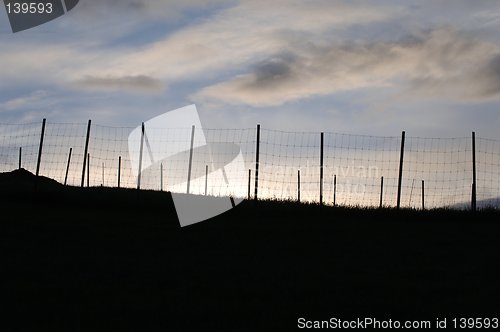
(438, 63)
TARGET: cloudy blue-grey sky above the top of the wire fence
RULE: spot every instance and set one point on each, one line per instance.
(431, 68)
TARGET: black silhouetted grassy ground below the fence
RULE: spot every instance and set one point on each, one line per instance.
(104, 259)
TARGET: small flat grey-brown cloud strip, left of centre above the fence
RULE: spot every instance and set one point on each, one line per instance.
(132, 83)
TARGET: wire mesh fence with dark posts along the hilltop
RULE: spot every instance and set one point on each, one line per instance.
(330, 168)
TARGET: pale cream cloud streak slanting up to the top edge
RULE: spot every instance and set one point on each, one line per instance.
(234, 38)
